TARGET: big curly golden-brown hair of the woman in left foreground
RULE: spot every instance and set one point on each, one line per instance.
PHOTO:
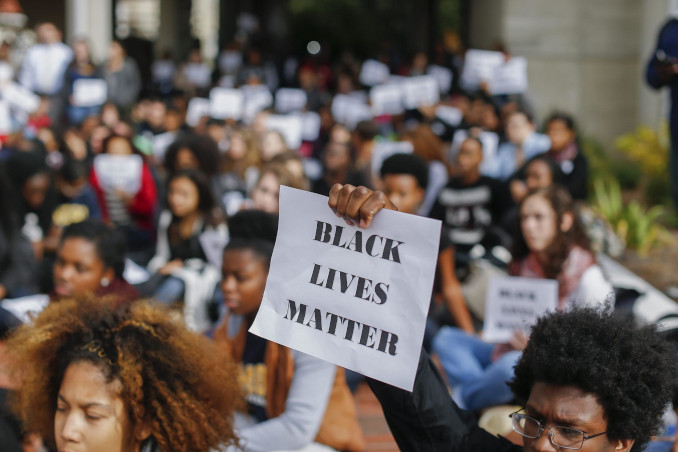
(177, 381)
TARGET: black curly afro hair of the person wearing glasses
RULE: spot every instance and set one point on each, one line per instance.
(628, 368)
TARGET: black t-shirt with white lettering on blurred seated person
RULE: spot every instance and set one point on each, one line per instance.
(468, 211)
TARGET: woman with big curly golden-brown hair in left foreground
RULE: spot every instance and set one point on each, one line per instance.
(98, 375)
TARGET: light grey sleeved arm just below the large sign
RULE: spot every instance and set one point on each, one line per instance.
(304, 409)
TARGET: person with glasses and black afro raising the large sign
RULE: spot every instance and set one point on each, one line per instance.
(588, 379)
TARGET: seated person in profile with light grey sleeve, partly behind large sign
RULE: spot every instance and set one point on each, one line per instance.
(292, 397)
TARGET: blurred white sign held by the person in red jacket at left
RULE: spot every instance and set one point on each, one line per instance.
(119, 172)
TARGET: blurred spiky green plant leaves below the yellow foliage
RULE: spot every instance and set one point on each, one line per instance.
(634, 224)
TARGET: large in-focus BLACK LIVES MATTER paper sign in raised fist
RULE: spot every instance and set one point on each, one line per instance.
(354, 297)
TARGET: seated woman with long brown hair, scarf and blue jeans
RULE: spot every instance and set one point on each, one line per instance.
(552, 245)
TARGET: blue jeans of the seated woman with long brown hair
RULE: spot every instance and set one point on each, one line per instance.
(478, 382)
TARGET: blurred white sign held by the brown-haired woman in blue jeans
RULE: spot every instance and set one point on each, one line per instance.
(515, 304)
